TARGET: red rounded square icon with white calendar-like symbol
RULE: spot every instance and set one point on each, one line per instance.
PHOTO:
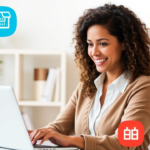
(131, 133)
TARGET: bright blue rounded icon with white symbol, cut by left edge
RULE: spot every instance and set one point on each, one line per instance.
(8, 21)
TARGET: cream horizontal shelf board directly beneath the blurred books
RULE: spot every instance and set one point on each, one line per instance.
(37, 103)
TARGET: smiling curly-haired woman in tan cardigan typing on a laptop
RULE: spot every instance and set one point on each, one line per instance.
(112, 52)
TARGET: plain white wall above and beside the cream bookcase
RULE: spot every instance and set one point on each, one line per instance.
(48, 24)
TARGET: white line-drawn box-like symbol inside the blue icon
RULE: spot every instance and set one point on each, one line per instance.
(5, 19)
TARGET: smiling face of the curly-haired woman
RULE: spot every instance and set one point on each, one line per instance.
(104, 49)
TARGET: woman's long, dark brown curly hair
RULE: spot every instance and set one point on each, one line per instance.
(126, 27)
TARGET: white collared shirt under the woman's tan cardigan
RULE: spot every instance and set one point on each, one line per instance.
(113, 90)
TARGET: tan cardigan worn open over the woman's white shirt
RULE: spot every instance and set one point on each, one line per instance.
(133, 104)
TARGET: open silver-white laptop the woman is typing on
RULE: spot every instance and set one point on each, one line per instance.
(13, 132)
